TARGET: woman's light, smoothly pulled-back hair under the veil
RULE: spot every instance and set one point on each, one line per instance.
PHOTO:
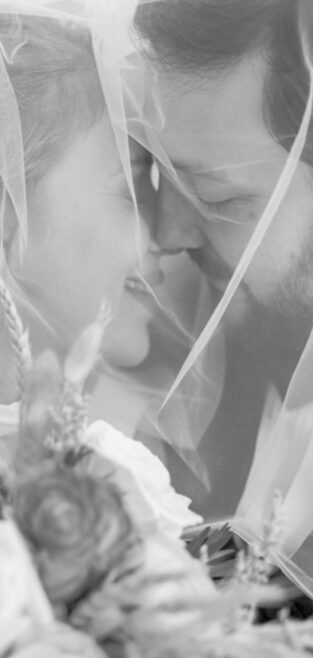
(54, 76)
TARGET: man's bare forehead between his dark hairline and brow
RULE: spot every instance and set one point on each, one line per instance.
(216, 124)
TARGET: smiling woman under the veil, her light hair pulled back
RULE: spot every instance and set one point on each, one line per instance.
(85, 236)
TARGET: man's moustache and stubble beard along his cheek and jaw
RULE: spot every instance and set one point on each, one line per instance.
(271, 327)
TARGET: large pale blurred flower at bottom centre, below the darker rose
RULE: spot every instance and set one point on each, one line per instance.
(158, 598)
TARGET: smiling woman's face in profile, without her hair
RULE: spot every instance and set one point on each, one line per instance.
(84, 243)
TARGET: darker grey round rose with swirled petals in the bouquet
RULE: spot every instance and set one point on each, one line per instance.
(76, 528)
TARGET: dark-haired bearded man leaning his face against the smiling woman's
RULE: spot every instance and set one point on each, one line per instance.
(233, 88)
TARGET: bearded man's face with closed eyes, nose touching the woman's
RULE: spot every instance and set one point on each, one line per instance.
(227, 164)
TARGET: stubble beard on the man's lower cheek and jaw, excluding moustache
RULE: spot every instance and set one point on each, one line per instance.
(273, 332)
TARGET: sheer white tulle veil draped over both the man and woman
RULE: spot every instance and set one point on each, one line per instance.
(229, 462)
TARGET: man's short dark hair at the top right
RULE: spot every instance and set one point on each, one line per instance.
(209, 37)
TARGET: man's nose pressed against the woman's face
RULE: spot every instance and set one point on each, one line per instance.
(177, 222)
